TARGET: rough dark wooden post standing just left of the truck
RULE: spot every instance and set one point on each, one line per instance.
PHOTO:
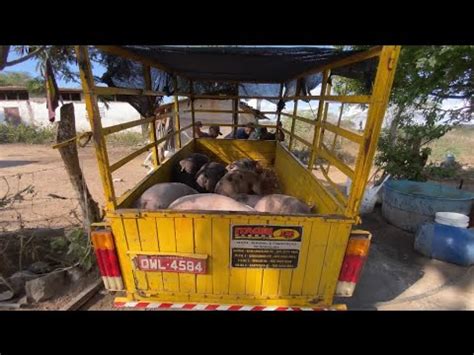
(67, 130)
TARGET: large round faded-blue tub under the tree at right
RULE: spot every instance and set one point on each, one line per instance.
(409, 204)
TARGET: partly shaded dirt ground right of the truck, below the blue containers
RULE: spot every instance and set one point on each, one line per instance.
(396, 276)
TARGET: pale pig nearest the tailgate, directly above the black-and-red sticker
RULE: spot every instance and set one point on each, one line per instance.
(282, 204)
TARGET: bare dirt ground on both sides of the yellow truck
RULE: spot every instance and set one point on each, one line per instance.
(395, 276)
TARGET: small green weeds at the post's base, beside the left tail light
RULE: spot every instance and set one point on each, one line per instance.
(76, 248)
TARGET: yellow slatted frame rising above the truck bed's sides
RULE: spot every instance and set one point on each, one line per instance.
(377, 102)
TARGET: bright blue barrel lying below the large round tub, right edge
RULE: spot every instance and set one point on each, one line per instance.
(446, 243)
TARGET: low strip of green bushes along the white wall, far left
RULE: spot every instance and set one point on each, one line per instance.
(26, 134)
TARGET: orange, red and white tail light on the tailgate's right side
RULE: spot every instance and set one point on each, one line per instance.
(356, 254)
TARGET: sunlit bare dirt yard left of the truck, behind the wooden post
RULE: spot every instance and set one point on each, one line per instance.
(41, 166)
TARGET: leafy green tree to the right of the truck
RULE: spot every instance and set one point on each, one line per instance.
(425, 77)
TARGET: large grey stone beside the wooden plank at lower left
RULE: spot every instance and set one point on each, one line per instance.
(45, 287)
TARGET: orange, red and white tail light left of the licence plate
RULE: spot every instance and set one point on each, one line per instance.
(106, 255)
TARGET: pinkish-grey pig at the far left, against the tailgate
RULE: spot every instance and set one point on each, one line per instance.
(160, 196)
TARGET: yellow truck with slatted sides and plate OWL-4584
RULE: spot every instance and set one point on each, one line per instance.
(212, 260)
